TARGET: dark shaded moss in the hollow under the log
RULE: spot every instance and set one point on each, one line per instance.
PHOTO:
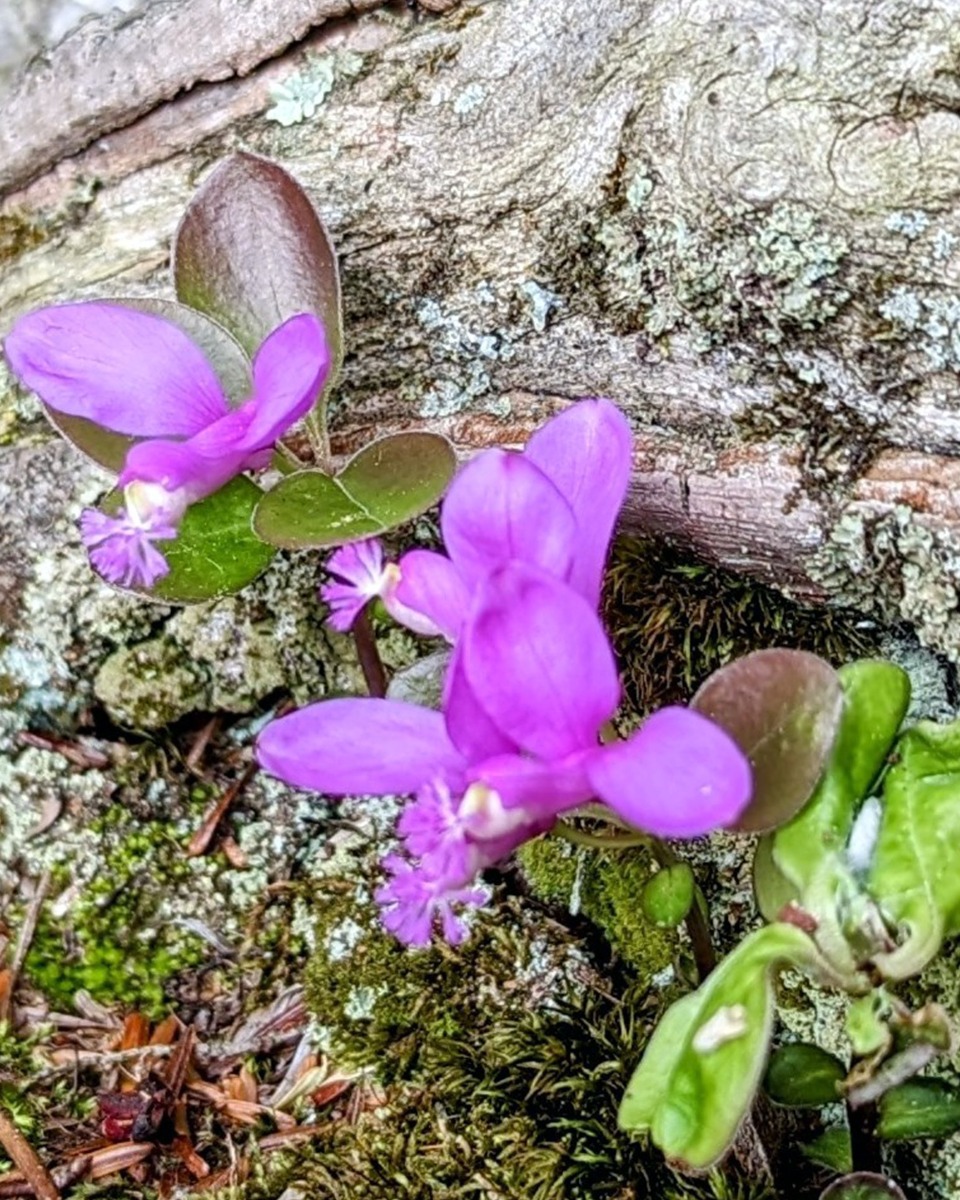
(675, 621)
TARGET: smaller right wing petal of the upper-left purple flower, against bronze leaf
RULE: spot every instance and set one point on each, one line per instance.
(290, 370)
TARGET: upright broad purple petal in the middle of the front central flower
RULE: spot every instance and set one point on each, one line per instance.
(538, 661)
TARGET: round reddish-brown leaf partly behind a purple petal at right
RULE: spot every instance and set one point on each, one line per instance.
(783, 709)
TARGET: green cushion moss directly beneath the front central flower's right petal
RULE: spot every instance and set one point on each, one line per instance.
(605, 887)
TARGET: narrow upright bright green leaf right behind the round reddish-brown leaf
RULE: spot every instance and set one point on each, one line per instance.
(875, 700)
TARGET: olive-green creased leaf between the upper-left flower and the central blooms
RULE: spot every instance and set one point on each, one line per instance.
(386, 484)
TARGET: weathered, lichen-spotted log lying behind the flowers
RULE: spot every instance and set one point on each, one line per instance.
(739, 219)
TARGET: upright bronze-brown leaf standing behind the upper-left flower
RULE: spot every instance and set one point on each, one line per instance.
(251, 251)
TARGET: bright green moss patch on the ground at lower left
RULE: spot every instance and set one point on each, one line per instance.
(113, 941)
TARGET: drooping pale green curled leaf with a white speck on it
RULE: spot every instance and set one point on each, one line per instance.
(706, 1058)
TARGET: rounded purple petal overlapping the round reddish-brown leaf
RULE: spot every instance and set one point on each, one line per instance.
(680, 776)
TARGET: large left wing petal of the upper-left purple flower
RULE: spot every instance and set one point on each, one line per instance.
(129, 371)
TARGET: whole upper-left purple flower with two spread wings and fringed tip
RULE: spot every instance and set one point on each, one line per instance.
(140, 375)
